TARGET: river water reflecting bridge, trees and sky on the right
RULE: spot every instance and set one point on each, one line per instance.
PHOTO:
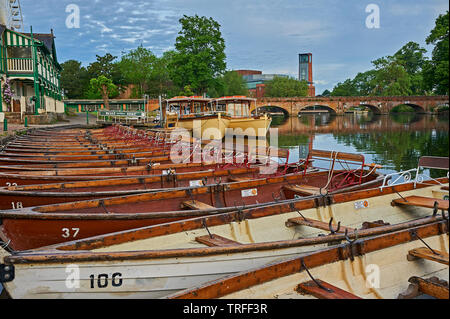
(394, 141)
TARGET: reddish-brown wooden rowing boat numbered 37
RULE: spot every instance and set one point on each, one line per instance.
(38, 226)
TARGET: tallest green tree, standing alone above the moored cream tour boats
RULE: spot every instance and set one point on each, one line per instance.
(200, 53)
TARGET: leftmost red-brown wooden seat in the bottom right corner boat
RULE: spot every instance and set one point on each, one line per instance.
(331, 292)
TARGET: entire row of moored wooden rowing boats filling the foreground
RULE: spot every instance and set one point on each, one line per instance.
(117, 212)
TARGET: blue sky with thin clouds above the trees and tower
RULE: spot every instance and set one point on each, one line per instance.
(344, 36)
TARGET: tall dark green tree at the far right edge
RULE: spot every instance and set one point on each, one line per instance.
(436, 72)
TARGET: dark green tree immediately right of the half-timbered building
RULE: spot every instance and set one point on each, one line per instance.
(74, 79)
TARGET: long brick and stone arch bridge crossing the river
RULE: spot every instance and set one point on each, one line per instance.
(339, 105)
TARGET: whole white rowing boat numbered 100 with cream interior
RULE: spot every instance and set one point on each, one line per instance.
(158, 261)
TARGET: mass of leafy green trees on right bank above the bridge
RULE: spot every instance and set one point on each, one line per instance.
(408, 71)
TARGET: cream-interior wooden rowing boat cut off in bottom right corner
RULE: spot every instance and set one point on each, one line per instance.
(393, 266)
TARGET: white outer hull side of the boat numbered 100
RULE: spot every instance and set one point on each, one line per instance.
(134, 279)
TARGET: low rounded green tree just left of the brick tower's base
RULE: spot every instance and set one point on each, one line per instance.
(286, 87)
